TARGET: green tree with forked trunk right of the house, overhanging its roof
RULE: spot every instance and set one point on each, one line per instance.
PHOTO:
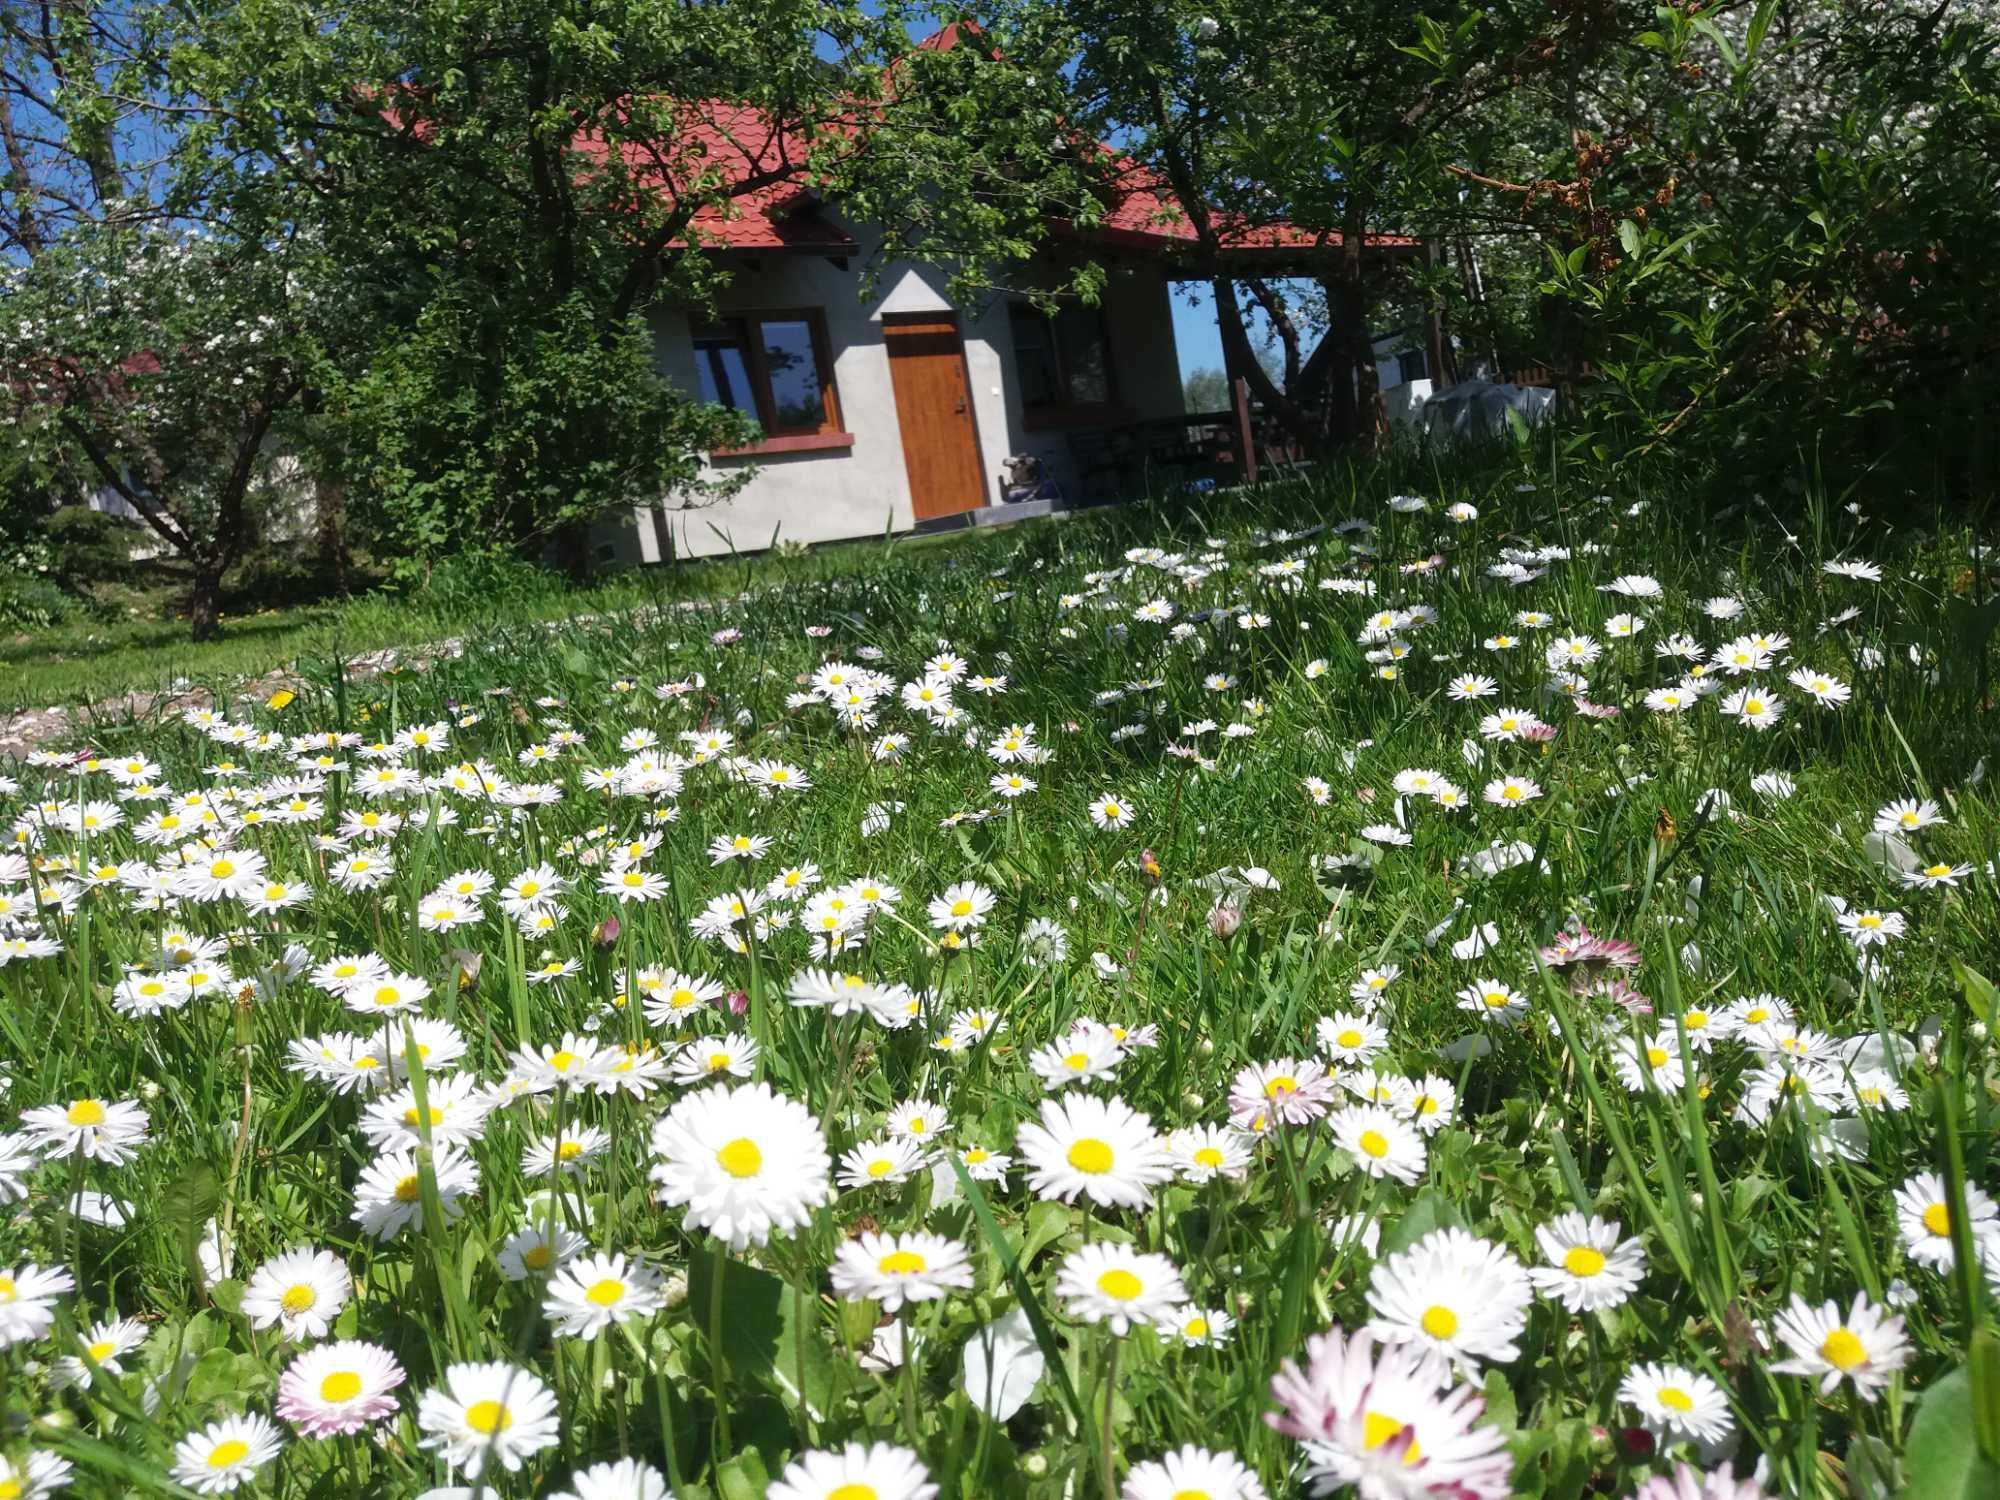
(1261, 113)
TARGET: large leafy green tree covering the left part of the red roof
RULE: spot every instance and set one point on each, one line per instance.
(517, 183)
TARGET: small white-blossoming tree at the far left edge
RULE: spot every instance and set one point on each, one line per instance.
(151, 343)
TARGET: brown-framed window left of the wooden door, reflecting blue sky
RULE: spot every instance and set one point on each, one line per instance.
(775, 367)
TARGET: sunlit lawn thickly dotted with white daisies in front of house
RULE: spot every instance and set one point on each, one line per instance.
(1469, 991)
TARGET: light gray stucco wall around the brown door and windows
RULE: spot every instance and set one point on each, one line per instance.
(863, 491)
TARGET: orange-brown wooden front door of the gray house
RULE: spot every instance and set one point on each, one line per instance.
(941, 449)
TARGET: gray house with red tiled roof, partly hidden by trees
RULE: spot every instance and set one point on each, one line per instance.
(901, 411)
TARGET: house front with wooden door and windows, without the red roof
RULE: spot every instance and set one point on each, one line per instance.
(901, 409)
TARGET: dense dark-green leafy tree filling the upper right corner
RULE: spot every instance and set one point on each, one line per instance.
(1767, 227)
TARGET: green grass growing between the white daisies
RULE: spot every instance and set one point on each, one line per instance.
(1231, 917)
